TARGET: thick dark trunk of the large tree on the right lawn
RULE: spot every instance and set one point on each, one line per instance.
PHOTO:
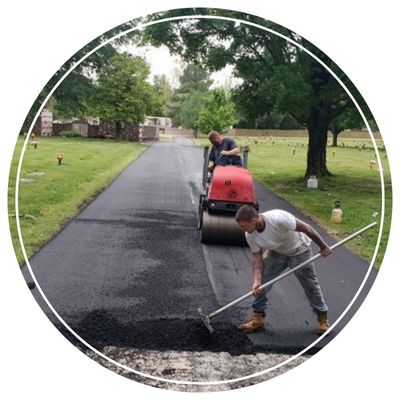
(317, 126)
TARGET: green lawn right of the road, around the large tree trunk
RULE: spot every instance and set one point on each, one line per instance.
(279, 164)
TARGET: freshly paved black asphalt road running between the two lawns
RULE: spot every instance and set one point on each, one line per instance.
(129, 270)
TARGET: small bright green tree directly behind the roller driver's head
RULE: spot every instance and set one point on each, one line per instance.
(218, 112)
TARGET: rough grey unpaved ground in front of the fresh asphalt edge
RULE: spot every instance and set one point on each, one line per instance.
(177, 370)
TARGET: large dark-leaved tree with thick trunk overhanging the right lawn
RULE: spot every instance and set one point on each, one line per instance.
(276, 73)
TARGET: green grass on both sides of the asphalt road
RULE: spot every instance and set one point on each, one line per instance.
(49, 200)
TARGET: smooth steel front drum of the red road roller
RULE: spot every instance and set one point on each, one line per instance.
(221, 229)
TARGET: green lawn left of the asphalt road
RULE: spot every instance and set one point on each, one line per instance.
(50, 194)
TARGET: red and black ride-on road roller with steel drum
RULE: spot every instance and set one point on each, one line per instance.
(225, 190)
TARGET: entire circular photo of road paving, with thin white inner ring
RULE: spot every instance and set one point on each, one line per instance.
(200, 199)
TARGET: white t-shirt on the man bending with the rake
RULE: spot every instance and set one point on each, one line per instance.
(279, 235)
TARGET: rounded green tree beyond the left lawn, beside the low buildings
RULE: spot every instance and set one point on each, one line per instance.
(122, 93)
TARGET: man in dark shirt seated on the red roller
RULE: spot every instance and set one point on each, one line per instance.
(225, 151)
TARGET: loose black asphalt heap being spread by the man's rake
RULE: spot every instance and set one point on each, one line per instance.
(101, 329)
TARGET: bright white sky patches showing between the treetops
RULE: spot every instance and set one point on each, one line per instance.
(163, 63)
